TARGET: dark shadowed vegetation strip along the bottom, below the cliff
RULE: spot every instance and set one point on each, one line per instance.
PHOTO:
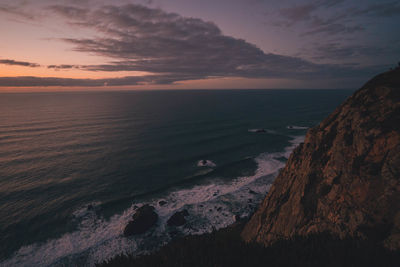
(225, 248)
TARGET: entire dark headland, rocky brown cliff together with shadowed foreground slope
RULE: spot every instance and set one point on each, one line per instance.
(336, 202)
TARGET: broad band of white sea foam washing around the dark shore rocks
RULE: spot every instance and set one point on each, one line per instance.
(211, 206)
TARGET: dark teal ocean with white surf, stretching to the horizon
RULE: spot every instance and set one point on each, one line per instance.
(74, 166)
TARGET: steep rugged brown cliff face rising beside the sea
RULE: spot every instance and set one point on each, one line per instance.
(345, 177)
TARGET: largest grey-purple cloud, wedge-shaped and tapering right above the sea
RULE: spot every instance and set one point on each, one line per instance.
(176, 48)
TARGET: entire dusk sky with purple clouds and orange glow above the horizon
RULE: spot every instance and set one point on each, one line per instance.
(192, 44)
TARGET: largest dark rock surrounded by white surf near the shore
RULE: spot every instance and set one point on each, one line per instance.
(144, 218)
